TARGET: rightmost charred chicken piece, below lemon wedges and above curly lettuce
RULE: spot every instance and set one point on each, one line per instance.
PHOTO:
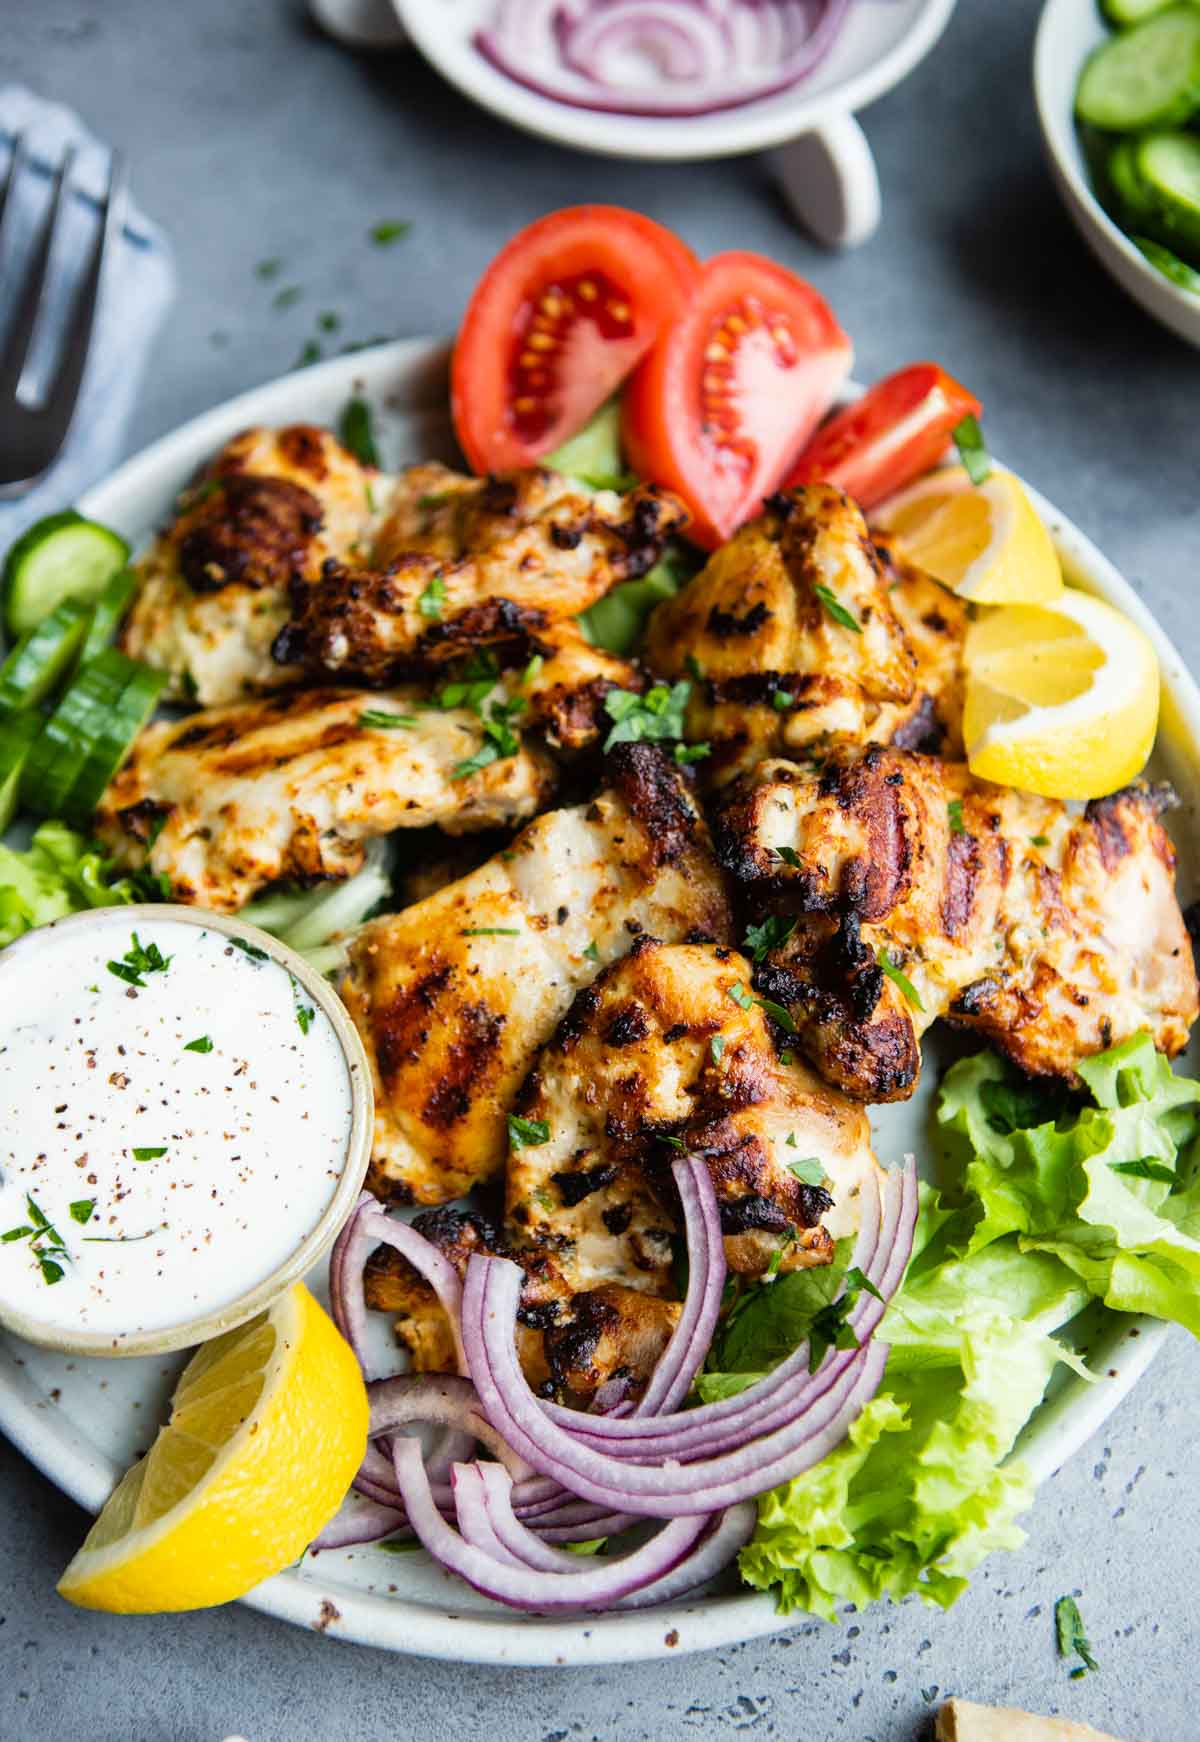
(1053, 935)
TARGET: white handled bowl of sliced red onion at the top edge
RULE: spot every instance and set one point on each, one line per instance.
(694, 79)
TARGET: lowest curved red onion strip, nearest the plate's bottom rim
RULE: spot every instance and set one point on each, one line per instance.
(598, 1588)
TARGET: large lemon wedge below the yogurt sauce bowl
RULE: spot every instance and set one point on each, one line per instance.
(267, 1429)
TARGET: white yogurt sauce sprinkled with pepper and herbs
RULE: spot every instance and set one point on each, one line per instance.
(168, 1144)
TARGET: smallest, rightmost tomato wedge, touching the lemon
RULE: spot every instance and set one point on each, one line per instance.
(896, 433)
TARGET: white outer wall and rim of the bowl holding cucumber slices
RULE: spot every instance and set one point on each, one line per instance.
(1067, 36)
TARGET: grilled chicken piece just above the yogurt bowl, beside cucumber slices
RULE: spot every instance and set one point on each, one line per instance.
(292, 787)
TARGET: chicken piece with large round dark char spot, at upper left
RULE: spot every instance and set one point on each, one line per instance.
(271, 510)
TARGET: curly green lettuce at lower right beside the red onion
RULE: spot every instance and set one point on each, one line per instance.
(1049, 1203)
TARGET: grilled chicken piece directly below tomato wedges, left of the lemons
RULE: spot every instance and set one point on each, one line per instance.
(807, 635)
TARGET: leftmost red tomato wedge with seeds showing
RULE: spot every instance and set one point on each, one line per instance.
(560, 318)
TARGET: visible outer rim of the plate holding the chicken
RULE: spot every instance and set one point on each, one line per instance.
(394, 1623)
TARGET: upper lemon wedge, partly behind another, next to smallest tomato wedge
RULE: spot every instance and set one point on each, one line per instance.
(985, 541)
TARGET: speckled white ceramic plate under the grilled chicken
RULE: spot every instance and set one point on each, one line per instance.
(83, 1422)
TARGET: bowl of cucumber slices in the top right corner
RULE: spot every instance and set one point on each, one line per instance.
(1117, 84)
